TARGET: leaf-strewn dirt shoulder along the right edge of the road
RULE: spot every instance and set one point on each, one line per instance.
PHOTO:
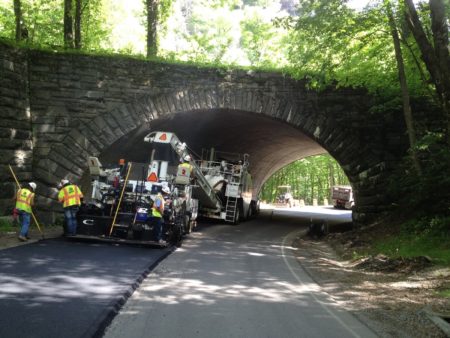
(391, 304)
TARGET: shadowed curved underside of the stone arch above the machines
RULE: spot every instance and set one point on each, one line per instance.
(271, 144)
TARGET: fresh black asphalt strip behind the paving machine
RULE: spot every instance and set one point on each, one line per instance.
(59, 288)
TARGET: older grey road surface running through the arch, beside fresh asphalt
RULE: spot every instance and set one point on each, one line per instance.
(237, 281)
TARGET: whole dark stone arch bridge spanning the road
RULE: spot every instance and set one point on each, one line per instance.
(58, 109)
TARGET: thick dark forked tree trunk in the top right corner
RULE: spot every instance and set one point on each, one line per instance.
(437, 59)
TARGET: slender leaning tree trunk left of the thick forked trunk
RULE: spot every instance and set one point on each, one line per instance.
(404, 88)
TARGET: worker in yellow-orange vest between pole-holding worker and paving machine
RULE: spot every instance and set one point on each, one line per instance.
(71, 197)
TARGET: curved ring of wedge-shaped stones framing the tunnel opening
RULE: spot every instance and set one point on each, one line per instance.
(310, 112)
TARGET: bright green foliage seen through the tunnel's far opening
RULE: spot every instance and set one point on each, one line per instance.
(309, 178)
